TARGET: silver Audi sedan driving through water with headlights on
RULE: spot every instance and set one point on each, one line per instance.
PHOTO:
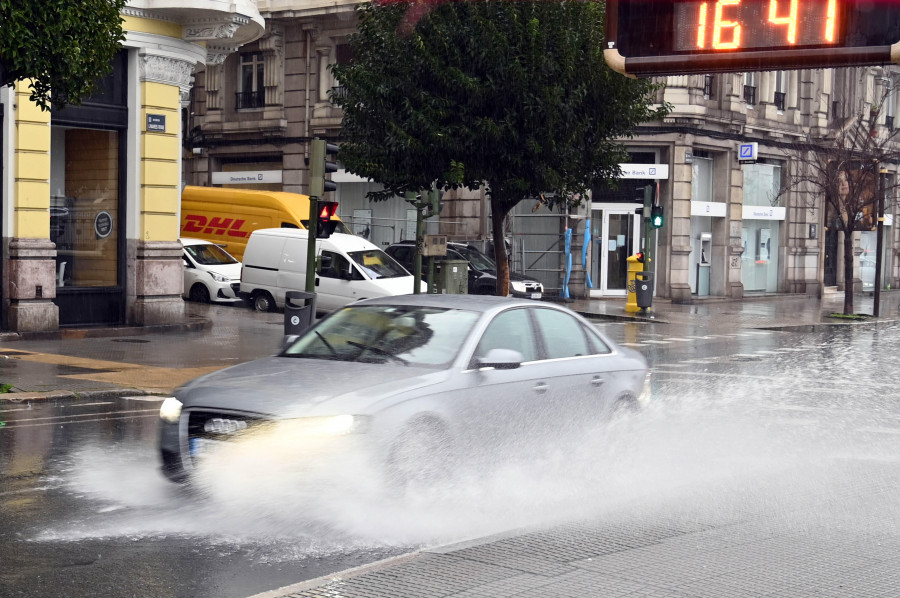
(417, 382)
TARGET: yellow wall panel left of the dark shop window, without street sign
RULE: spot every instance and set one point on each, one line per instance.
(31, 168)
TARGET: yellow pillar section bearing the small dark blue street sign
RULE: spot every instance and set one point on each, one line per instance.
(160, 163)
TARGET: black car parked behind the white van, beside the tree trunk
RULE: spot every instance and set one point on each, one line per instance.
(482, 270)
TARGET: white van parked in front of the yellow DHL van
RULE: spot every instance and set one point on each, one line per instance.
(348, 268)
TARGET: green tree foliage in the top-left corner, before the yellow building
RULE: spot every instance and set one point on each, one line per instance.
(62, 46)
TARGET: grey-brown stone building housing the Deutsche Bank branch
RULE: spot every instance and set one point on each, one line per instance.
(729, 230)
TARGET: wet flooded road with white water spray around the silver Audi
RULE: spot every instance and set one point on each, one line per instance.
(783, 417)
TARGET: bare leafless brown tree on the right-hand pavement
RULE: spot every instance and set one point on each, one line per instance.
(845, 172)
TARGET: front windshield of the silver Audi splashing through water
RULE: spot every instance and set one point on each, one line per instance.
(407, 335)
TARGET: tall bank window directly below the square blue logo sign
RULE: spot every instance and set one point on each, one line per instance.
(762, 217)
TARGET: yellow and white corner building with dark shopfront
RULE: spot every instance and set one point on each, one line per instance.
(91, 193)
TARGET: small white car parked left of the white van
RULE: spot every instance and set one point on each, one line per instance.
(210, 272)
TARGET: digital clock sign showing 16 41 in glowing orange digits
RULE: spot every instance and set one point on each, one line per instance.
(660, 37)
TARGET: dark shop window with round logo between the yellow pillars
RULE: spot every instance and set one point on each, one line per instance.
(84, 206)
